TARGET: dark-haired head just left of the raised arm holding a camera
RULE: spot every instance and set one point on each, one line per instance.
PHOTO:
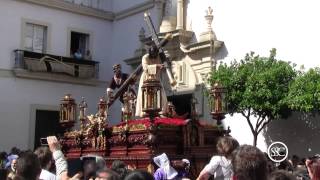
(45, 157)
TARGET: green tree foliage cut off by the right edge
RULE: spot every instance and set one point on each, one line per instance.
(304, 92)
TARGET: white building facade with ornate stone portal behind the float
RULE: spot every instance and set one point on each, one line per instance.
(111, 30)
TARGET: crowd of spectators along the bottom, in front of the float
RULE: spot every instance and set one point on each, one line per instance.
(232, 162)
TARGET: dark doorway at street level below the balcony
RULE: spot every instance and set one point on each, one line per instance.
(47, 124)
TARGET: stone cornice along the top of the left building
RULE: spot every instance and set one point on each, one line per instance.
(87, 11)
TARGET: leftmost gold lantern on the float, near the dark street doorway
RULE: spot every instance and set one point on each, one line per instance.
(67, 109)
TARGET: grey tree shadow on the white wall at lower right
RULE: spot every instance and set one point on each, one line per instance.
(299, 132)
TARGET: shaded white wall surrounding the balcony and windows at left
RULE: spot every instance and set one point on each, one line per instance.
(18, 95)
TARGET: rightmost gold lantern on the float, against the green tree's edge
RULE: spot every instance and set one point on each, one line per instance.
(218, 102)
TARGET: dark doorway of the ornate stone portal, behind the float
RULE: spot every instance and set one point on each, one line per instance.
(182, 103)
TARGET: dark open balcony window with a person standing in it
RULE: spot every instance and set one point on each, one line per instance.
(79, 41)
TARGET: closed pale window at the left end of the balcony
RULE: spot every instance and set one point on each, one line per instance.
(35, 38)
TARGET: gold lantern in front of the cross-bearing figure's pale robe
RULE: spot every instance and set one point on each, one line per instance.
(151, 97)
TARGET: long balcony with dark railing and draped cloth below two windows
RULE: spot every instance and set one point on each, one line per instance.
(55, 68)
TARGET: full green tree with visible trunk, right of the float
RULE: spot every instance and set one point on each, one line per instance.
(257, 87)
